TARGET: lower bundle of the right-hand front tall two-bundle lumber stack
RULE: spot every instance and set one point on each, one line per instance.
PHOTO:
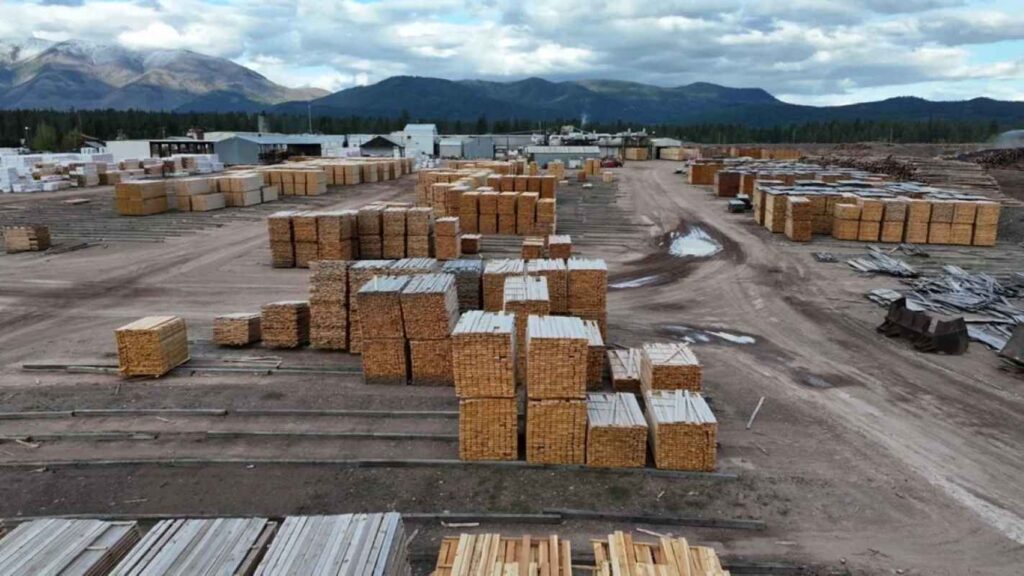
(557, 431)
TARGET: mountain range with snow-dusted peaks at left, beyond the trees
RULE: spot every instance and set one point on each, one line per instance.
(84, 75)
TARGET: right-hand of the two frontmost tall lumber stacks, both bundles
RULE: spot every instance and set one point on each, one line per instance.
(557, 388)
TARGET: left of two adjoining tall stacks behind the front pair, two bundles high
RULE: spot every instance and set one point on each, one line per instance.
(385, 356)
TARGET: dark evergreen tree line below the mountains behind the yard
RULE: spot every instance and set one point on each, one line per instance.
(64, 131)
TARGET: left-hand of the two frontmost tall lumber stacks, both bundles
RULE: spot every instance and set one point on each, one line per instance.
(484, 366)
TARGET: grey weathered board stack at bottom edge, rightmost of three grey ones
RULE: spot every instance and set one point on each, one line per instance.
(362, 545)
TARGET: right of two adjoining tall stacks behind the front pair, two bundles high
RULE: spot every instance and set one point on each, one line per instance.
(431, 311)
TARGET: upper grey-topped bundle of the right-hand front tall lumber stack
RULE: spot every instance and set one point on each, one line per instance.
(557, 365)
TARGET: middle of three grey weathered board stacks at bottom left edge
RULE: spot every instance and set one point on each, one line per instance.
(229, 546)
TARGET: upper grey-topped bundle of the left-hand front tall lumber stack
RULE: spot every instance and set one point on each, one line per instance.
(484, 355)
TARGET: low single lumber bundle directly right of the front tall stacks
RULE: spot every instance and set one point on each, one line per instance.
(617, 432)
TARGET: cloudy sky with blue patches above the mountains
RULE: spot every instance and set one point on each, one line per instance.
(807, 52)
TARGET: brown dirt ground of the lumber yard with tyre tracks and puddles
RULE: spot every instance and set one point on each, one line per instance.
(867, 458)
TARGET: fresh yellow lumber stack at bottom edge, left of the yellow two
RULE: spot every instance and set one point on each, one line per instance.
(492, 555)
